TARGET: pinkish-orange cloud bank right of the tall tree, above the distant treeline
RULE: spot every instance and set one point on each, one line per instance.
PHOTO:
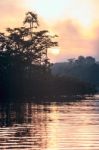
(73, 42)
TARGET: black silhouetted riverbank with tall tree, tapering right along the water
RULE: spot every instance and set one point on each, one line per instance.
(25, 69)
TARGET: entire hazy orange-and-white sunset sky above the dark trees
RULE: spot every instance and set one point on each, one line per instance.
(76, 22)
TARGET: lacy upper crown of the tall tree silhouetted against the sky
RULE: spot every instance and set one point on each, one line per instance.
(31, 45)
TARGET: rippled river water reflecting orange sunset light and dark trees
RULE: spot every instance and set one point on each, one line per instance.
(53, 126)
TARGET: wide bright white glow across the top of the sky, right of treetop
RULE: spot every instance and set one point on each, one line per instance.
(62, 9)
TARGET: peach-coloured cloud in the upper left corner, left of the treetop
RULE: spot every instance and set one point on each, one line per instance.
(11, 13)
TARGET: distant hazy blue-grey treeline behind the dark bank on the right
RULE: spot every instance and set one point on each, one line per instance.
(84, 68)
